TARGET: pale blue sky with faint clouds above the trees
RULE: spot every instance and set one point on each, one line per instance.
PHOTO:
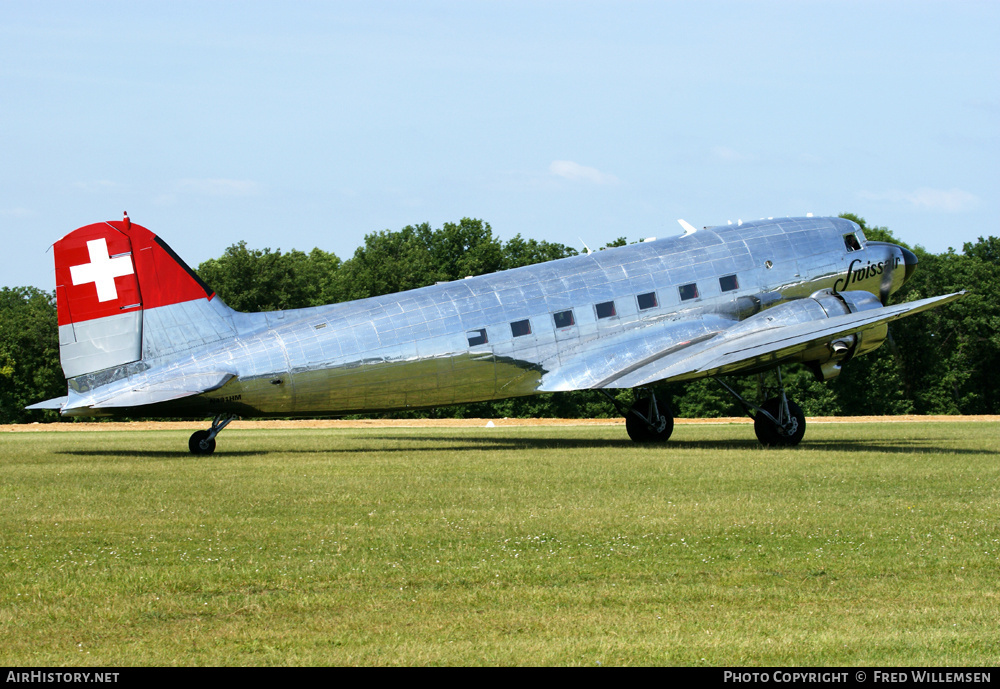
(302, 124)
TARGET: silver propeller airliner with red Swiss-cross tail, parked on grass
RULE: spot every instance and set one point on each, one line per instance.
(141, 335)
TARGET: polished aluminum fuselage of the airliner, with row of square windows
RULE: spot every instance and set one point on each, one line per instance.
(454, 342)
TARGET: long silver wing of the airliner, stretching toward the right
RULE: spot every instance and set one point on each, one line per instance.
(713, 353)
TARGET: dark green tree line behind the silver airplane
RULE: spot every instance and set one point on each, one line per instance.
(943, 361)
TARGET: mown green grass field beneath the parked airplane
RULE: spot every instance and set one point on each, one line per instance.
(870, 544)
